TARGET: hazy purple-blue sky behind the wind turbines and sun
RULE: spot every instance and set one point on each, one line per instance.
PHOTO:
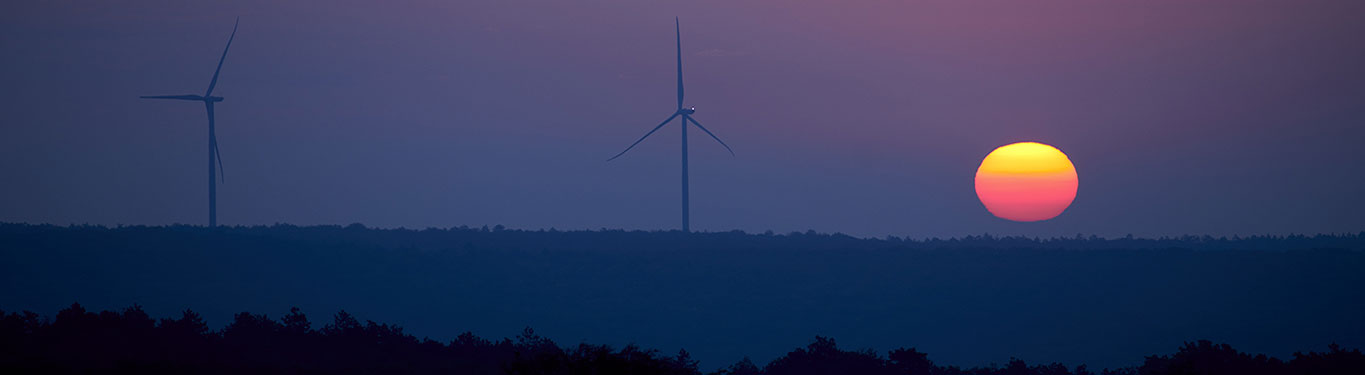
(867, 118)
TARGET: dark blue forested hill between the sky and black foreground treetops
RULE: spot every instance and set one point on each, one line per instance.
(723, 297)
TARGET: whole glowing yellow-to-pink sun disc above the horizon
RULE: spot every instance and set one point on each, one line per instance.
(1027, 182)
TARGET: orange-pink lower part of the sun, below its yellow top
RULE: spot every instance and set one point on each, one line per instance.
(1034, 197)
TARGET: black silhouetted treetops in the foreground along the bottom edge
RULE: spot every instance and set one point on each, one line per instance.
(133, 343)
